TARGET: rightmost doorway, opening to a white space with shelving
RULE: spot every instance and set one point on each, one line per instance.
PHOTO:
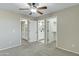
(51, 29)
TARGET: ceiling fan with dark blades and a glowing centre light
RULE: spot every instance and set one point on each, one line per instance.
(34, 7)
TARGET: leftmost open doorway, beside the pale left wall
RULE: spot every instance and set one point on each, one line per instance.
(24, 29)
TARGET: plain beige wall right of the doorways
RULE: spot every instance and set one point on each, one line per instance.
(68, 29)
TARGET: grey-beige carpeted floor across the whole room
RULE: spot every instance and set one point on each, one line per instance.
(35, 49)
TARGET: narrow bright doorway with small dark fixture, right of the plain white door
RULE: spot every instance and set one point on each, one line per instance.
(41, 30)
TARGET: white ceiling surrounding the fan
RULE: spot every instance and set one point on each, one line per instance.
(51, 7)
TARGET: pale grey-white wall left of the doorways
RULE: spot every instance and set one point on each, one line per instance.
(10, 31)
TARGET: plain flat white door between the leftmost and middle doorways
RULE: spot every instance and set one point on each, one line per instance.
(32, 30)
